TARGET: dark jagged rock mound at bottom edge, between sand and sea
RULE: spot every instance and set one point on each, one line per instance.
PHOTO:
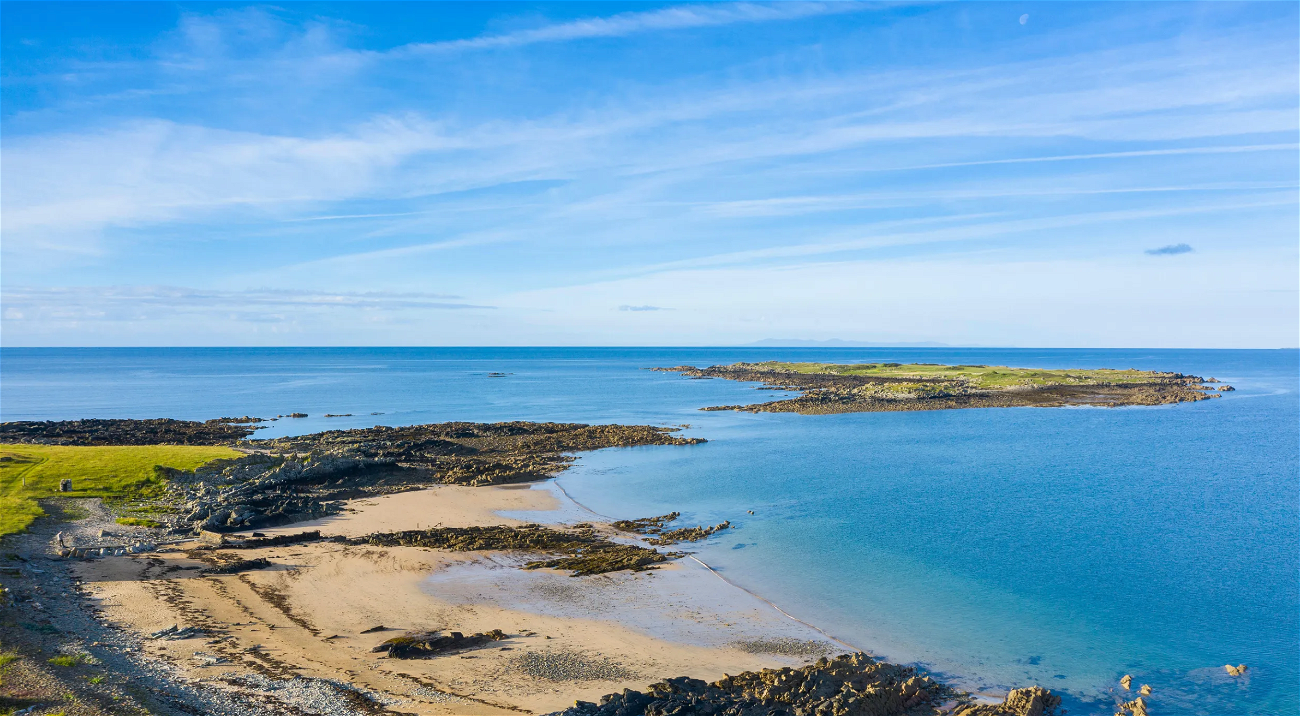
(846, 685)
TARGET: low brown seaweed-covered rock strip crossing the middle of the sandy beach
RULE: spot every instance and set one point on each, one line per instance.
(584, 550)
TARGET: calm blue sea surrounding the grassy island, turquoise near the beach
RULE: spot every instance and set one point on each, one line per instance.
(1002, 548)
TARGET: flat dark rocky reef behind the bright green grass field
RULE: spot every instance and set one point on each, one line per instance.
(128, 432)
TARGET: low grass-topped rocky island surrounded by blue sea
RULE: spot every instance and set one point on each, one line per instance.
(924, 387)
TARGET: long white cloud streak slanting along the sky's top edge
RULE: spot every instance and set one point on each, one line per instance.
(629, 24)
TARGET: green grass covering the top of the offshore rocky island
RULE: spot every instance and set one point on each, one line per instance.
(982, 376)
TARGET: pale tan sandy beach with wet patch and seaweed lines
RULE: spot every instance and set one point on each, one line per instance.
(673, 622)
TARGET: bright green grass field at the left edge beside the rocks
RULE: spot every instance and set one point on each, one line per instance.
(31, 472)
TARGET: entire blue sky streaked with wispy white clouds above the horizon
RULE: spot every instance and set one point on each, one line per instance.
(500, 173)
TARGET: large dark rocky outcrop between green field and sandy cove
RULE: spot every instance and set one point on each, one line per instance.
(289, 480)
